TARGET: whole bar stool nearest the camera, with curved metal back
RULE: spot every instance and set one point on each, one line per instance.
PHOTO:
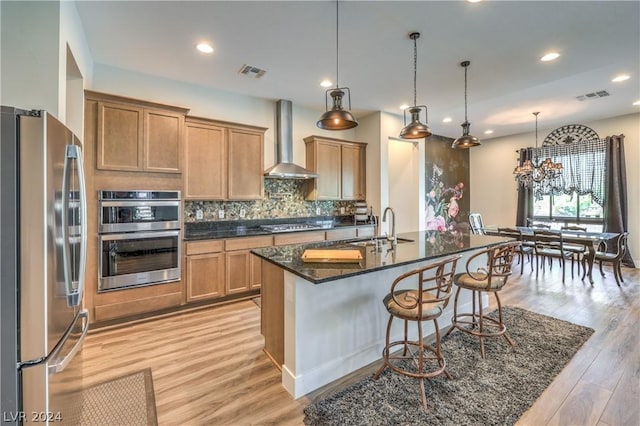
(418, 295)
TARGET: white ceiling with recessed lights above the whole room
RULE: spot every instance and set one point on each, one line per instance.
(295, 42)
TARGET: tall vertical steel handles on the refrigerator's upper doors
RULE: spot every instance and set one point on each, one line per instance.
(74, 296)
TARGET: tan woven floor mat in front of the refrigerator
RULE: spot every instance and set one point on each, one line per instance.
(125, 400)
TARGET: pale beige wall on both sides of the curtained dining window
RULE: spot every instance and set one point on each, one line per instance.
(494, 192)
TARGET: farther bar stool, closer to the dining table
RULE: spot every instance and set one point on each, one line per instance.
(490, 279)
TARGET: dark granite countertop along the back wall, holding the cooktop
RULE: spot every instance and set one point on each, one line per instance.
(194, 231)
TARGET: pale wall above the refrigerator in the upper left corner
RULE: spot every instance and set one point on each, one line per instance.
(36, 38)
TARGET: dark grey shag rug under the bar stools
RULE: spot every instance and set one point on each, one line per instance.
(492, 391)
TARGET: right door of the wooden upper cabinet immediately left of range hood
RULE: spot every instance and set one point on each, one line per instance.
(246, 164)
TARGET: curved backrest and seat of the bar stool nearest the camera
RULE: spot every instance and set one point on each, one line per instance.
(434, 284)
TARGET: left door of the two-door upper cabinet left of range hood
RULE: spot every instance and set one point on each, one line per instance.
(205, 161)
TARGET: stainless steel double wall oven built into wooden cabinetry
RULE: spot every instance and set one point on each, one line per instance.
(139, 234)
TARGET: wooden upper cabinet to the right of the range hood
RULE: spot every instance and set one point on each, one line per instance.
(341, 166)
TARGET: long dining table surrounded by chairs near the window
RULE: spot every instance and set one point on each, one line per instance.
(590, 241)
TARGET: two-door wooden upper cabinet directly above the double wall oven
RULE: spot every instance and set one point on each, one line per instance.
(138, 136)
